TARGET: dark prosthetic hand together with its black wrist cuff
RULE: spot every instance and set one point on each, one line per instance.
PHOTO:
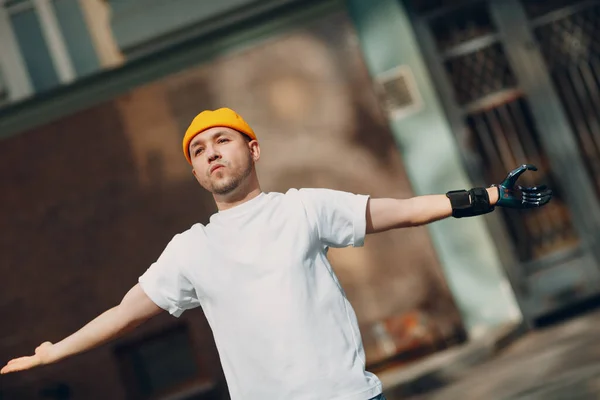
(469, 203)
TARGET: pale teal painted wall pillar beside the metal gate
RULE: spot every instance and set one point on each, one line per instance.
(465, 248)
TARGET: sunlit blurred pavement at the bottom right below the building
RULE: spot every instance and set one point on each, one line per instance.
(560, 361)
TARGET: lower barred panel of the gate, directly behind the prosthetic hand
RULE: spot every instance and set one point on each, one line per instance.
(505, 136)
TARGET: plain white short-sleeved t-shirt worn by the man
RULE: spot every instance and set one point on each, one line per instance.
(281, 321)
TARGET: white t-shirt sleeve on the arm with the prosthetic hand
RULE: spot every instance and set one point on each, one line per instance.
(340, 217)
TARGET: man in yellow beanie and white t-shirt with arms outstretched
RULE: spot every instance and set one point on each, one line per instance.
(281, 322)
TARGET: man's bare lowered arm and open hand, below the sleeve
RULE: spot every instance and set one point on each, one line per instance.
(135, 308)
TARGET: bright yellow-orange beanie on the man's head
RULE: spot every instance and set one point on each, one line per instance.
(209, 119)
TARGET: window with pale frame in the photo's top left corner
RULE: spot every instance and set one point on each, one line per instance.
(46, 43)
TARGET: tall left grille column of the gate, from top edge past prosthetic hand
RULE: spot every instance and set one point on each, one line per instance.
(501, 129)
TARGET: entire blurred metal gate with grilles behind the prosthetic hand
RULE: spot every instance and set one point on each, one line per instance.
(520, 84)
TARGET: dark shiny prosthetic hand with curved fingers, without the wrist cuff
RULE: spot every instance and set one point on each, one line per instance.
(521, 197)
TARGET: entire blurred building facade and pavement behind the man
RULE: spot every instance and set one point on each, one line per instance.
(393, 98)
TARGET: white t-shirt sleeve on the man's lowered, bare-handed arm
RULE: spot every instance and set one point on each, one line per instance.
(166, 284)
